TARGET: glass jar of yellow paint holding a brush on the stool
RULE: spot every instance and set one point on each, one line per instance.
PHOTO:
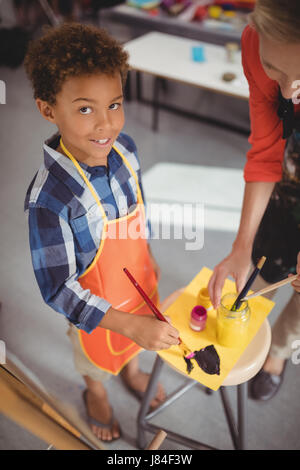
(232, 327)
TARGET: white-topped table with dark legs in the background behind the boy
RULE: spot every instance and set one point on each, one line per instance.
(168, 57)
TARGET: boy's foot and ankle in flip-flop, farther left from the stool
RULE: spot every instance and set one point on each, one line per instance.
(99, 409)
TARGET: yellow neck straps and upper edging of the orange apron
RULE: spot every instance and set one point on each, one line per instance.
(91, 188)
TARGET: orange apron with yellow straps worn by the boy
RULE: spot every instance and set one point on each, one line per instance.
(123, 244)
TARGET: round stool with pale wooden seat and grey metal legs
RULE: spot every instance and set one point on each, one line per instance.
(246, 367)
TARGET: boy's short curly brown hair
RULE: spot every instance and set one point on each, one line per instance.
(71, 50)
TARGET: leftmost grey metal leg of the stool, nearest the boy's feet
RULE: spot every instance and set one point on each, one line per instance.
(149, 393)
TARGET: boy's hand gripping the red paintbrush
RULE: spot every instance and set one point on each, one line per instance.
(152, 334)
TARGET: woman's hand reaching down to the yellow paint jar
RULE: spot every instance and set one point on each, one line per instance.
(237, 265)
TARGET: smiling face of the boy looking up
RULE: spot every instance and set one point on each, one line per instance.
(89, 115)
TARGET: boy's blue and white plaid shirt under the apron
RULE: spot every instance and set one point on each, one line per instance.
(65, 225)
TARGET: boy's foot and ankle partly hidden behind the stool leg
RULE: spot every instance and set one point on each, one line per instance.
(137, 381)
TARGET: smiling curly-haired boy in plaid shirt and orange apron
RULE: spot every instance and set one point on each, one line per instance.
(86, 215)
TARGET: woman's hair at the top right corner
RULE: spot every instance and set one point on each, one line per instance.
(279, 20)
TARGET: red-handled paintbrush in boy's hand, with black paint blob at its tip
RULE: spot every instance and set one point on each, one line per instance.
(207, 358)
